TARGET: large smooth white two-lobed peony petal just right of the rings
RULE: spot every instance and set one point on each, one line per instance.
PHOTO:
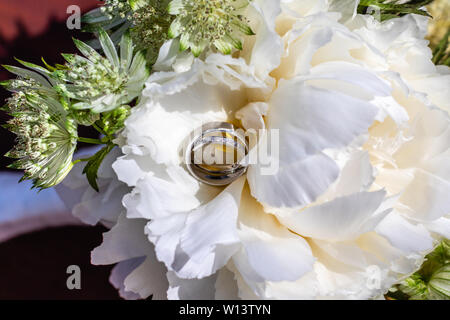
(309, 120)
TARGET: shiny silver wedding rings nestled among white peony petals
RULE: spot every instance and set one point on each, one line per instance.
(216, 154)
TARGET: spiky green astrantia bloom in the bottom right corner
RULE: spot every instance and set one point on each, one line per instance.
(431, 282)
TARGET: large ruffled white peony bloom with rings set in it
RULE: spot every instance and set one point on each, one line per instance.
(361, 194)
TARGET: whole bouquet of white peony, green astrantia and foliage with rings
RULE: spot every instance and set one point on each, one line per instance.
(333, 119)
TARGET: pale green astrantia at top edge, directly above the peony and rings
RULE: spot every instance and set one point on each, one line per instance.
(200, 23)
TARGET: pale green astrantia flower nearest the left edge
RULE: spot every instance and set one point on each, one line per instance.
(46, 137)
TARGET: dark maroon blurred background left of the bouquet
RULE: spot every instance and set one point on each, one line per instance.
(33, 266)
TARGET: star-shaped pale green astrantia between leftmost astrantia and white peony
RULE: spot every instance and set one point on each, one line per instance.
(103, 84)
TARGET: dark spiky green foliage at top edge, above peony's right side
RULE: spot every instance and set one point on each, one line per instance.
(392, 9)
